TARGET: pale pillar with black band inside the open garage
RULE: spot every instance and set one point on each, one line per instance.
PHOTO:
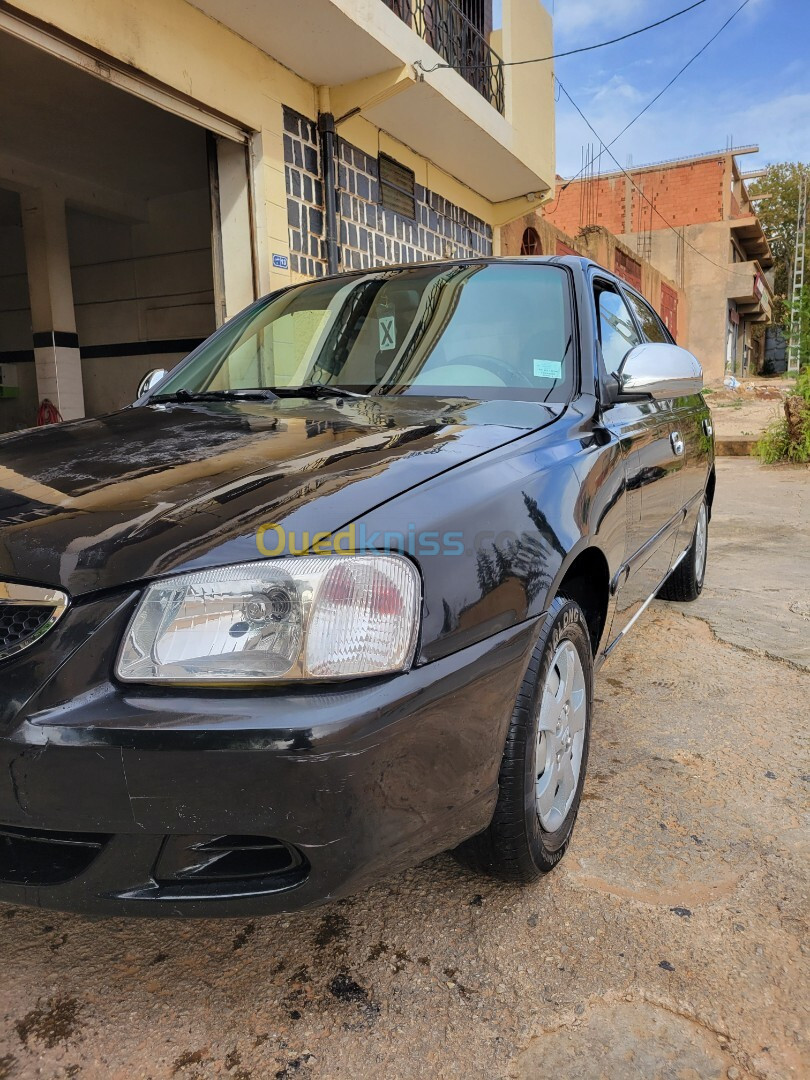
(53, 319)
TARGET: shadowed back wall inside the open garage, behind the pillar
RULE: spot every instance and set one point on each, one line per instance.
(132, 283)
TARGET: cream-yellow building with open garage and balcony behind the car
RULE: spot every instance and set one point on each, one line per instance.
(164, 164)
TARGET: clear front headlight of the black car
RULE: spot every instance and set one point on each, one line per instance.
(319, 617)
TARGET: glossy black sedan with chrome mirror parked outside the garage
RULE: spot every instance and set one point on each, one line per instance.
(330, 598)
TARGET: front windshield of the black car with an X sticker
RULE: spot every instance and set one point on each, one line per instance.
(485, 331)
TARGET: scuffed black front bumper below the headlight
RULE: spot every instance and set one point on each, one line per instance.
(113, 801)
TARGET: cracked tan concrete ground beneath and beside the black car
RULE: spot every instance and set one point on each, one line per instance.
(669, 944)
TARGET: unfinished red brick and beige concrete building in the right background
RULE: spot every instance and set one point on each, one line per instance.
(692, 220)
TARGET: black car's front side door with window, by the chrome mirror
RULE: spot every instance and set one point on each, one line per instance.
(652, 463)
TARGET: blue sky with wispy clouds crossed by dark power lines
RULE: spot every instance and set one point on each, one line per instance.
(752, 86)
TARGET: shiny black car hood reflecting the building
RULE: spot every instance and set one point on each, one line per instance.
(99, 504)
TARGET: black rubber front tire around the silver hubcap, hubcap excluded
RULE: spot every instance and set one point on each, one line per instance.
(516, 847)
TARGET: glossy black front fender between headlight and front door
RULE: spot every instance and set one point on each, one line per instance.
(494, 538)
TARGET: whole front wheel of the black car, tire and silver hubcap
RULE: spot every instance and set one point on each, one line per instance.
(546, 757)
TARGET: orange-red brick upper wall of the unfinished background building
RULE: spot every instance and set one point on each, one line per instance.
(684, 195)
